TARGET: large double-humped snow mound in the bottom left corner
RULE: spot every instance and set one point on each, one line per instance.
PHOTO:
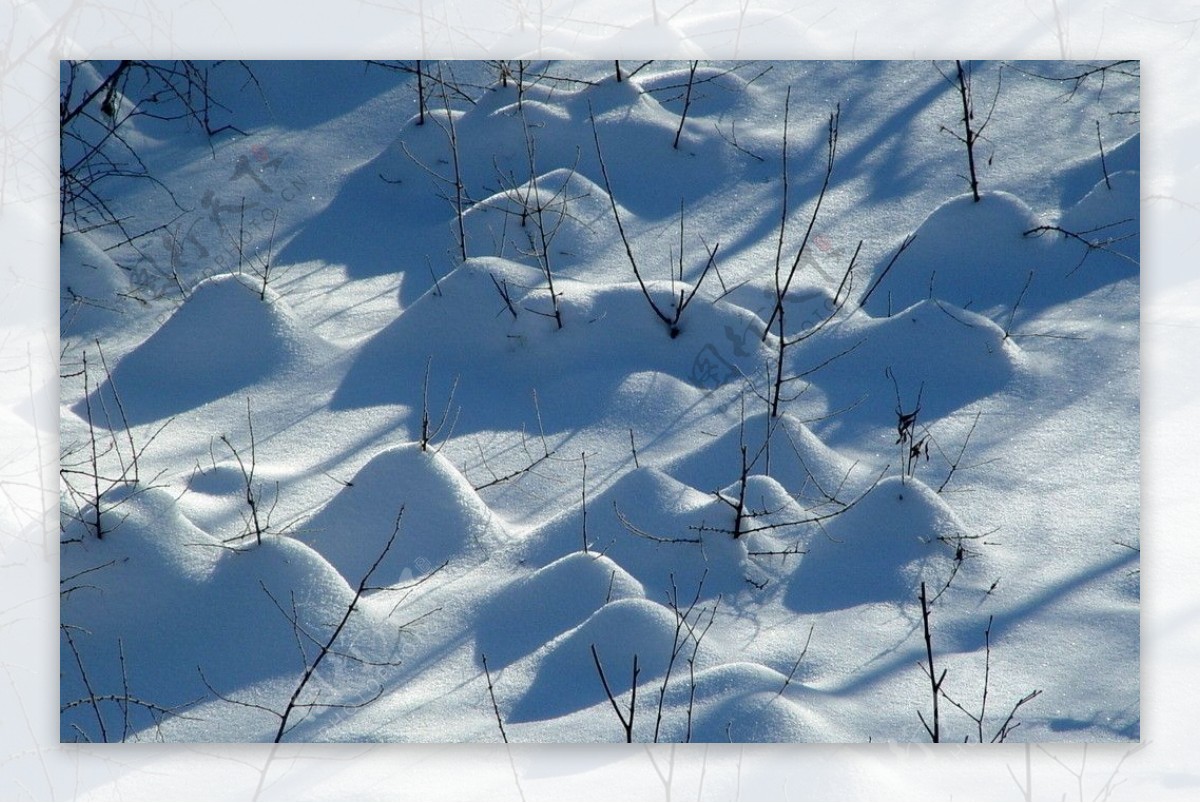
(175, 600)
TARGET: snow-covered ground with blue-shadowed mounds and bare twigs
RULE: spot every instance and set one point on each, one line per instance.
(619, 513)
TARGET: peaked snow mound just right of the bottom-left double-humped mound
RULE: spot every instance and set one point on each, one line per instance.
(443, 518)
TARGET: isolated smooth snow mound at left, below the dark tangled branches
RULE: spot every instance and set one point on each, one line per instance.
(224, 339)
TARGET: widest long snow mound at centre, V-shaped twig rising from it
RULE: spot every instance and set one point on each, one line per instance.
(609, 333)
